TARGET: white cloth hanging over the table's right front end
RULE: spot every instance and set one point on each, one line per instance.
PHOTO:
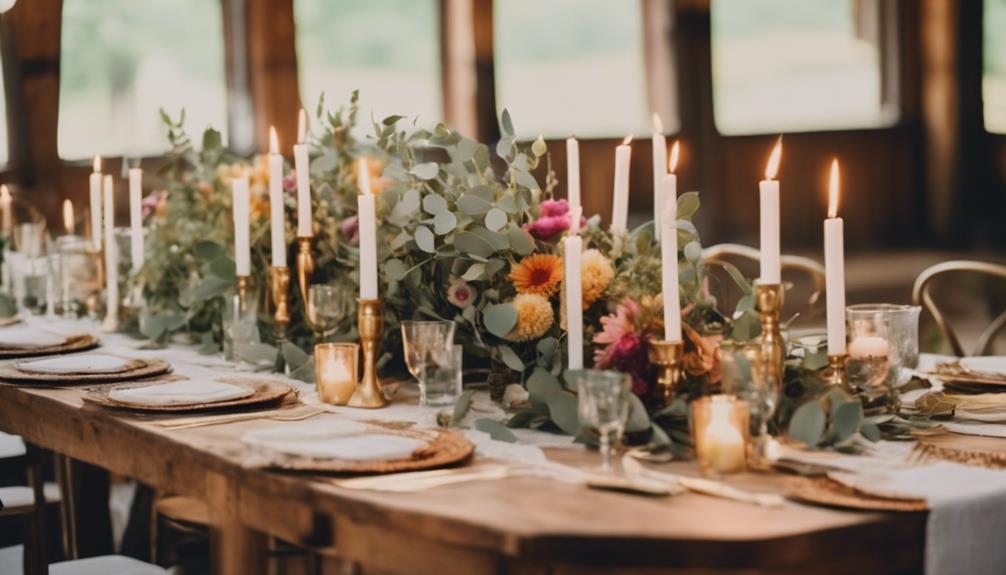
(967, 518)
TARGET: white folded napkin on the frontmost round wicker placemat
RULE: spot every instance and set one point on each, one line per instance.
(334, 440)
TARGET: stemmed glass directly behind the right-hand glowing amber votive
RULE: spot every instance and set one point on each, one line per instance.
(745, 376)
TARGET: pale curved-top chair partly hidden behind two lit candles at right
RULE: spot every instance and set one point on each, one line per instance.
(811, 272)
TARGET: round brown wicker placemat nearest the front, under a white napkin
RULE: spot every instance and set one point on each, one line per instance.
(444, 449)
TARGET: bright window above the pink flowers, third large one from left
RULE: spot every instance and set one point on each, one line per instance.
(572, 67)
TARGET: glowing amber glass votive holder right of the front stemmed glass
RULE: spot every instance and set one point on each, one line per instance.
(720, 433)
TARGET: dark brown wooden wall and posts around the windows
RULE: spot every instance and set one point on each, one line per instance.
(935, 179)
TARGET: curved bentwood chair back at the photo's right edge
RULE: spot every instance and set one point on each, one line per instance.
(922, 296)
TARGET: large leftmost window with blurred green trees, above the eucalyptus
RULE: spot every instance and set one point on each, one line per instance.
(122, 61)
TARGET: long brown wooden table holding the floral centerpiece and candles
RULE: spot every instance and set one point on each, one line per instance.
(517, 525)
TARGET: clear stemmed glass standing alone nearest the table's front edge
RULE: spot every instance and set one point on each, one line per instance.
(604, 408)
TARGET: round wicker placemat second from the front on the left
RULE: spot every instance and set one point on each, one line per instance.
(264, 392)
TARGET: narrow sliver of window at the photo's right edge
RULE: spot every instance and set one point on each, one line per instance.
(994, 79)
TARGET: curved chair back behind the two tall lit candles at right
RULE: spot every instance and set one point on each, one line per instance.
(805, 276)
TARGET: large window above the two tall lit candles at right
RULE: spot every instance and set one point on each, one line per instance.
(792, 66)
